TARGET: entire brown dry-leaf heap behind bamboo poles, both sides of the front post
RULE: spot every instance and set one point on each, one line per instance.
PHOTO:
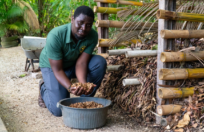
(139, 100)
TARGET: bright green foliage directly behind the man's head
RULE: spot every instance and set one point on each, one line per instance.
(53, 13)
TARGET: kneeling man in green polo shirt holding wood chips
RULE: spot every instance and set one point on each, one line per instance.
(68, 54)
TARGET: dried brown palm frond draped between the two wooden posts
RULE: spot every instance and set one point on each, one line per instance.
(140, 15)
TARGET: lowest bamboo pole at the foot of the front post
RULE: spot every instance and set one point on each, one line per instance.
(168, 109)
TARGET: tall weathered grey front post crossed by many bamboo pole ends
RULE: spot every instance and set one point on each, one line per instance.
(164, 44)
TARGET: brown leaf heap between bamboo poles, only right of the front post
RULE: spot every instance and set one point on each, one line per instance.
(191, 116)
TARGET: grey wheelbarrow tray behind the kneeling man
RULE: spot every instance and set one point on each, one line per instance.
(33, 46)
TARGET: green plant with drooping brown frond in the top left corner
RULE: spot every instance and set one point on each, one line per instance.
(16, 17)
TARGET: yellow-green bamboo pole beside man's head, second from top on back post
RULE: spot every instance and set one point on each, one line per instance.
(107, 10)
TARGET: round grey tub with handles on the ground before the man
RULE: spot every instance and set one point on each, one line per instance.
(84, 118)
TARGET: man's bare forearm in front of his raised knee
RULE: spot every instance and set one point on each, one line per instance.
(81, 72)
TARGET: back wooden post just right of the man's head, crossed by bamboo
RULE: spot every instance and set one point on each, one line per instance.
(102, 32)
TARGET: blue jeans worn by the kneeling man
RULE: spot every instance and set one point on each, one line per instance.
(52, 91)
